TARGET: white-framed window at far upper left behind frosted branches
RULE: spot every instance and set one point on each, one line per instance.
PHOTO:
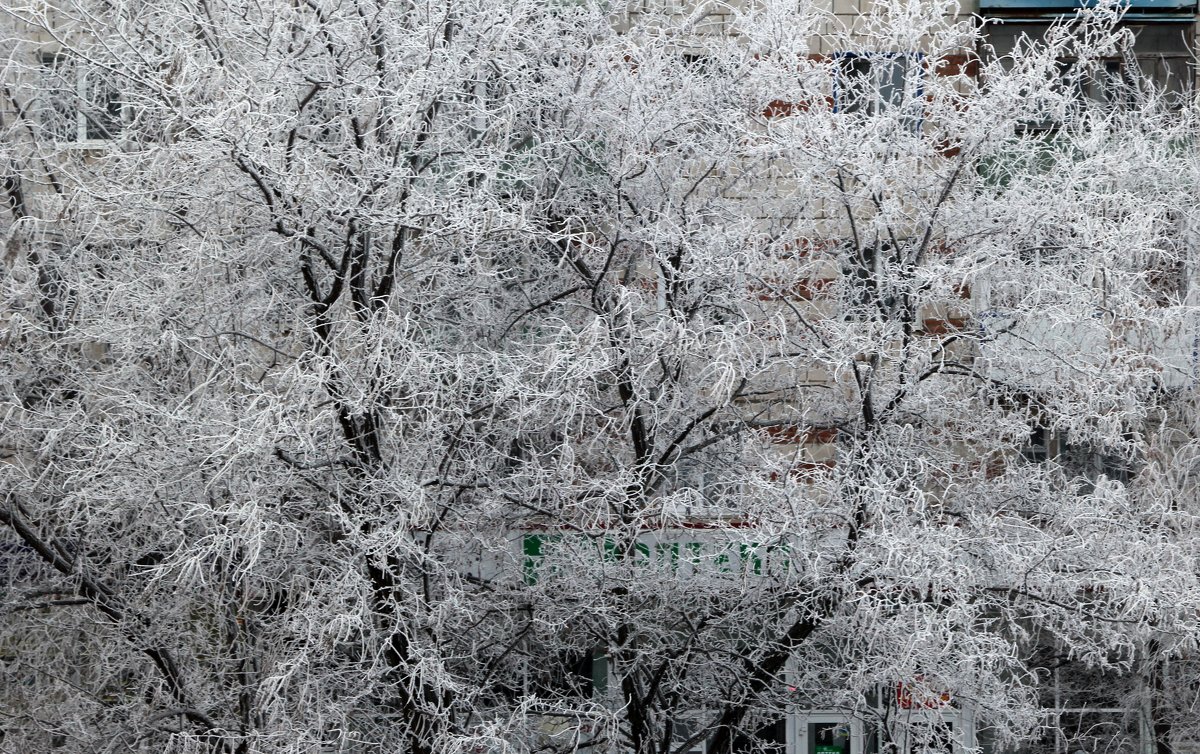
(80, 101)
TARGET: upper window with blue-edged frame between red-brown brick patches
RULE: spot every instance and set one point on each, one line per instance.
(875, 83)
